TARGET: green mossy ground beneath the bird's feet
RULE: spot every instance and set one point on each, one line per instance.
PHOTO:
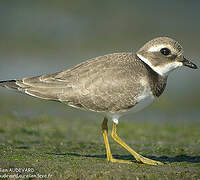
(74, 149)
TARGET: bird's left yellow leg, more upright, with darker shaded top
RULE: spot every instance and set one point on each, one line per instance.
(108, 151)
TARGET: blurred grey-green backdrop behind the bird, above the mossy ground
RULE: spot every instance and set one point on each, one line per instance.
(40, 37)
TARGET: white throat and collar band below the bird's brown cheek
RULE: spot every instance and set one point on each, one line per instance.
(163, 70)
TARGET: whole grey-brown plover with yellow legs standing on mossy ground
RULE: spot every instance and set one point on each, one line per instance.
(113, 85)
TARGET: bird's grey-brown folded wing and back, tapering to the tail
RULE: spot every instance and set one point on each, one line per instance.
(99, 84)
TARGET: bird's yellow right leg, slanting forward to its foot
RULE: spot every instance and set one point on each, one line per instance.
(137, 156)
